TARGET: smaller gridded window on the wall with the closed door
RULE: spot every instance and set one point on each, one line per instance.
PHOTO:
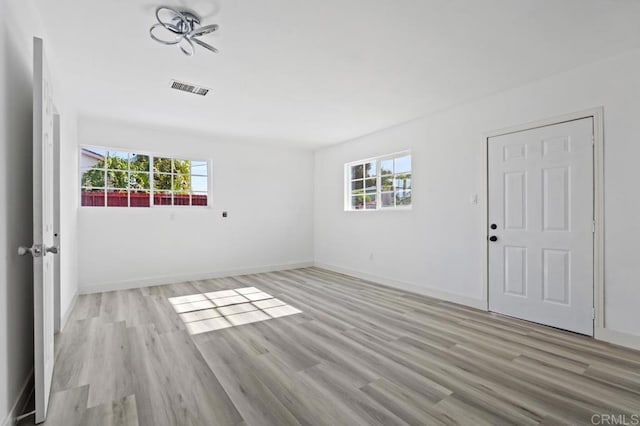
(379, 183)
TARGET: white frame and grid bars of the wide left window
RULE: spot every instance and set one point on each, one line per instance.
(152, 156)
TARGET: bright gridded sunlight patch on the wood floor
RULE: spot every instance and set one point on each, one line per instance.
(204, 312)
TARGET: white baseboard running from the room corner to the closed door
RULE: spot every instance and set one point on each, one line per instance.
(413, 288)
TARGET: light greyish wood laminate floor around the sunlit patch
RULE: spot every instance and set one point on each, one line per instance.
(358, 354)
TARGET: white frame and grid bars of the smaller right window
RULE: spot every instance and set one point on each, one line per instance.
(378, 161)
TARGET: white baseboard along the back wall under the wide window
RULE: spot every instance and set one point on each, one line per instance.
(163, 280)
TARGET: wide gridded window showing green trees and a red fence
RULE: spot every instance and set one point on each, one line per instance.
(126, 179)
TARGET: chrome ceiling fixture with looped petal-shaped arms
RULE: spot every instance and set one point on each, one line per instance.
(181, 27)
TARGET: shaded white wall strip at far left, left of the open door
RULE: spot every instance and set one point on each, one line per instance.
(16, 288)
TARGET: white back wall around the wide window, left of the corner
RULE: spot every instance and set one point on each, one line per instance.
(267, 192)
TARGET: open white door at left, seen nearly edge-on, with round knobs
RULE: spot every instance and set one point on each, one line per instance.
(43, 247)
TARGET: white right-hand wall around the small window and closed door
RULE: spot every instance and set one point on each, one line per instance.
(436, 248)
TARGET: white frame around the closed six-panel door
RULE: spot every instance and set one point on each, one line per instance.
(597, 114)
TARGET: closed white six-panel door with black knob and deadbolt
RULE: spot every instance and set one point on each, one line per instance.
(541, 195)
